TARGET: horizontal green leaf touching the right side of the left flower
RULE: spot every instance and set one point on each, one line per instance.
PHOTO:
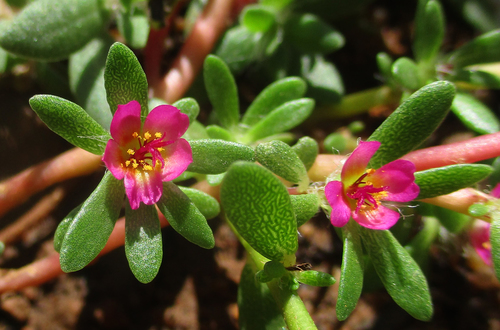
(215, 156)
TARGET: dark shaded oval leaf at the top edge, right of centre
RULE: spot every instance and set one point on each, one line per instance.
(310, 34)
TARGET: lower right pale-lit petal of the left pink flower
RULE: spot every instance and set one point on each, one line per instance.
(178, 156)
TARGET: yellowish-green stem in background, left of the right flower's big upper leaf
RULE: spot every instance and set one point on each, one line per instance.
(357, 103)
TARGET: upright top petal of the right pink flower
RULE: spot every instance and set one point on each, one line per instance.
(355, 165)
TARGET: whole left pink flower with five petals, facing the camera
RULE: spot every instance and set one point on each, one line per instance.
(145, 155)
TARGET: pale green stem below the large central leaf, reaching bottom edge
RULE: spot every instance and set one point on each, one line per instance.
(294, 311)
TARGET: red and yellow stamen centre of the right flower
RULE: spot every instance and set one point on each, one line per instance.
(366, 195)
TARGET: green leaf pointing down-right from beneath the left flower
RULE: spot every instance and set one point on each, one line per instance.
(184, 216)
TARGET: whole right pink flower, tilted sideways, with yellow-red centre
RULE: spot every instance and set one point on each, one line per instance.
(360, 192)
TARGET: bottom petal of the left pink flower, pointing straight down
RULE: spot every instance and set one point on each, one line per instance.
(143, 186)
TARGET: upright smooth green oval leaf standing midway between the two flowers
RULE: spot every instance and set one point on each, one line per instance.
(222, 91)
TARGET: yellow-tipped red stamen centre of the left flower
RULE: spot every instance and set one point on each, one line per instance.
(148, 155)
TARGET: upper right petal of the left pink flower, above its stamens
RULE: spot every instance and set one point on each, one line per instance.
(168, 120)
